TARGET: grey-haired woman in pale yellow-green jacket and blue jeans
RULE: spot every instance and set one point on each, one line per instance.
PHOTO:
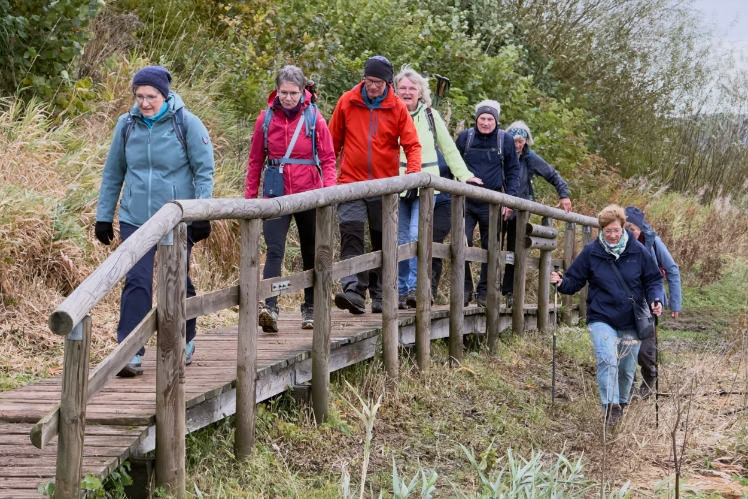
(439, 157)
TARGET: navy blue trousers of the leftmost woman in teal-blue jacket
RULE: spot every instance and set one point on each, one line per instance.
(137, 295)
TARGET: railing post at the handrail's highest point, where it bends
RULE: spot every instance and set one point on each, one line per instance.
(423, 283)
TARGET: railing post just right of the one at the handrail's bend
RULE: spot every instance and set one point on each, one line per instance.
(457, 280)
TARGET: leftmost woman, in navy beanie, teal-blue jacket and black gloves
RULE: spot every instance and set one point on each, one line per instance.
(160, 152)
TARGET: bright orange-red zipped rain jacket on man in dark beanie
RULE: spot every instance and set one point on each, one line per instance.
(366, 140)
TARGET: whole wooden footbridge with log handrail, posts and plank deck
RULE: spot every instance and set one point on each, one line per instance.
(102, 421)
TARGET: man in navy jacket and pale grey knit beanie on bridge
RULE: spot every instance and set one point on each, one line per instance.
(490, 155)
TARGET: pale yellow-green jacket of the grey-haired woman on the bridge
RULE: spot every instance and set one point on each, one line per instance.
(444, 140)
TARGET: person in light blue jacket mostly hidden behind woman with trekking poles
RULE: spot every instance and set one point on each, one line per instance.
(643, 233)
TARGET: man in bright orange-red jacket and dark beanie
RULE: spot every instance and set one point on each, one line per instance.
(368, 127)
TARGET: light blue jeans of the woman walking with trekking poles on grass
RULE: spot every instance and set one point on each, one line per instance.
(616, 352)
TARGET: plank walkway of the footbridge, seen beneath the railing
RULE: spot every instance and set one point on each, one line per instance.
(121, 419)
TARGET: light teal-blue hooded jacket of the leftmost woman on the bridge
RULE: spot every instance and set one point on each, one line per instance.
(154, 167)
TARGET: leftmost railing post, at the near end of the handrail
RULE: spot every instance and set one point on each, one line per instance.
(72, 419)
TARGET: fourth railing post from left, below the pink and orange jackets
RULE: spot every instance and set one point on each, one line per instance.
(323, 255)
